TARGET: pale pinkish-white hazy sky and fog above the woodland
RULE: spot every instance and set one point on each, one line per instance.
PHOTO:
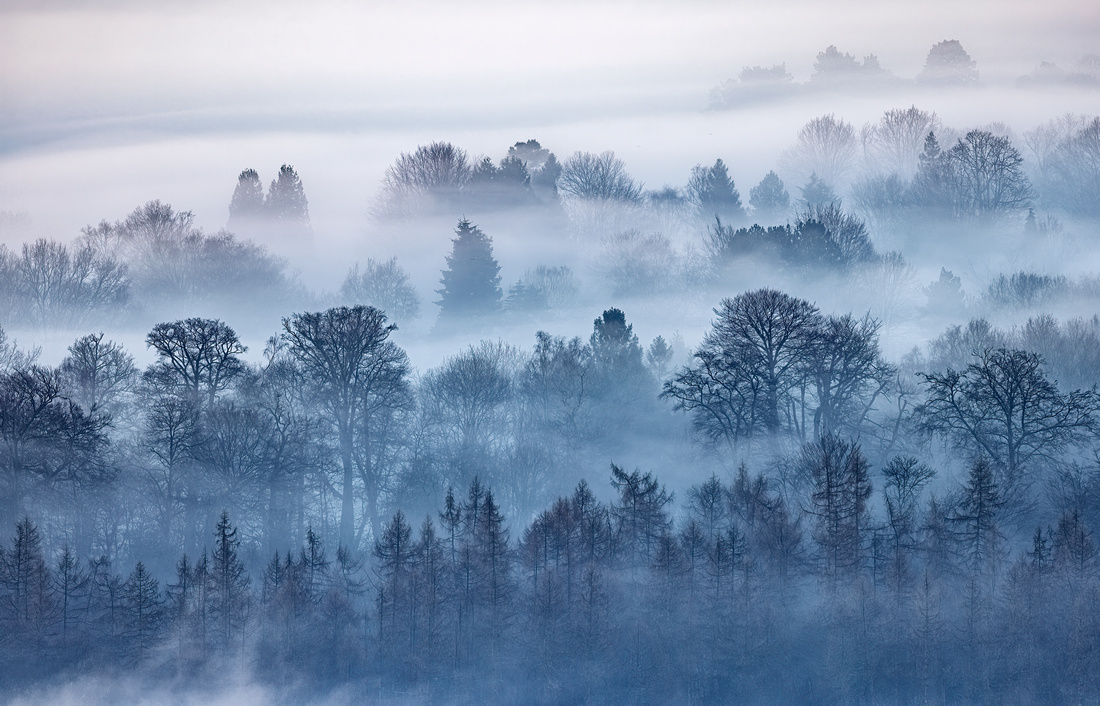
(105, 106)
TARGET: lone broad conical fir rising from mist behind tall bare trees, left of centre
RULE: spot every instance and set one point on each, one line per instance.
(472, 280)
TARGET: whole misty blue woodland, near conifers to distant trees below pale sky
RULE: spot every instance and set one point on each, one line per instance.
(328, 516)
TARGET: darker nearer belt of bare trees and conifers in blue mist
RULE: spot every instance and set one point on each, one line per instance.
(277, 505)
